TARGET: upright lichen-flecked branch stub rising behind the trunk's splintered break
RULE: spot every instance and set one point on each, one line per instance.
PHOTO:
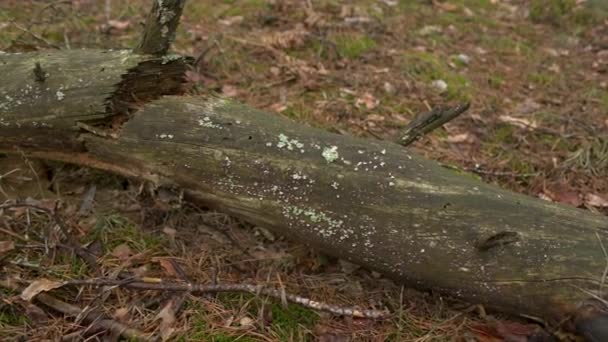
(160, 28)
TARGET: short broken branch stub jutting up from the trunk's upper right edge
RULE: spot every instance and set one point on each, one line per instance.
(428, 121)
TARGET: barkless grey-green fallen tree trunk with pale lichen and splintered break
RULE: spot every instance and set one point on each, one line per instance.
(371, 202)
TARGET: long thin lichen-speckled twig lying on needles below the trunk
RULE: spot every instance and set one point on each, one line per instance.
(156, 284)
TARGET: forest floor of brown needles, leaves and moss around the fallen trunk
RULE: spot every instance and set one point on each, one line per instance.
(536, 73)
